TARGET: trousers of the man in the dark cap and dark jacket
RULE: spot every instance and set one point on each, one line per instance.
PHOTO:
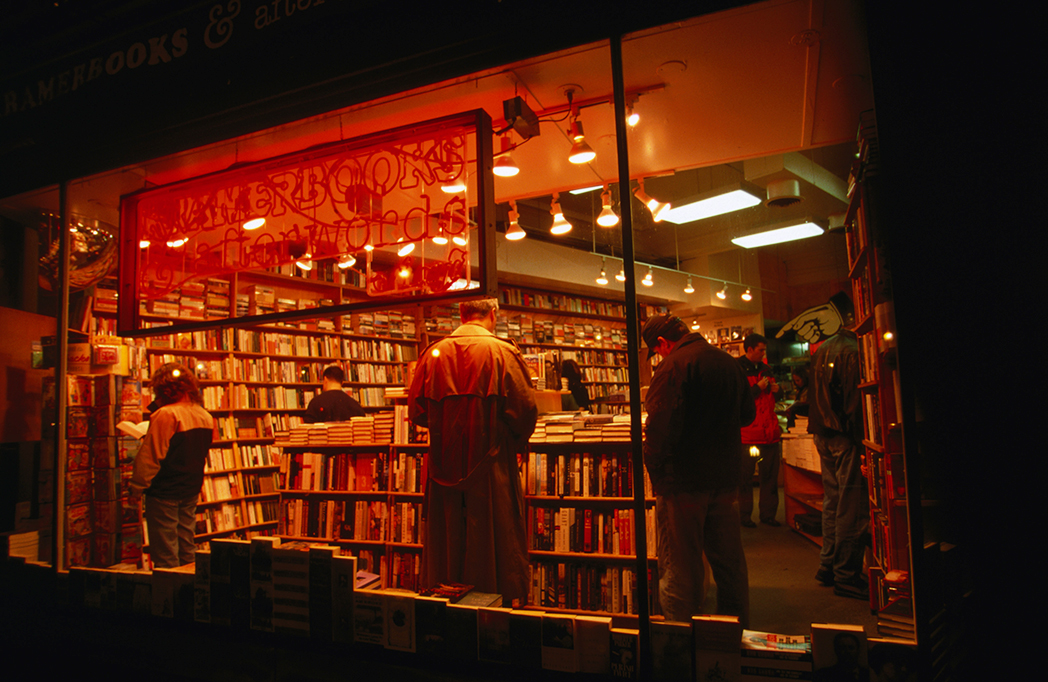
(689, 525)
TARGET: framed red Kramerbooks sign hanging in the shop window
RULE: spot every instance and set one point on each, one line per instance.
(402, 216)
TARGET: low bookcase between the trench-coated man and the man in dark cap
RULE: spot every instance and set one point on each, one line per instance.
(579, 492)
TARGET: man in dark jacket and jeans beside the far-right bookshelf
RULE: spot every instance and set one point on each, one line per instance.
(836, 422)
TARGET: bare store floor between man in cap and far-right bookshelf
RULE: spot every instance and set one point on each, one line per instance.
(784, 597)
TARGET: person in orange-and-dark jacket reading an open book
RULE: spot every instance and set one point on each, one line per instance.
(169, 467)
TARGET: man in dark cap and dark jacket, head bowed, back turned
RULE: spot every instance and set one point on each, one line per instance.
(697, 405)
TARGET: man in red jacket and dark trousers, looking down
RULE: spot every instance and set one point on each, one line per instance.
(763, 434)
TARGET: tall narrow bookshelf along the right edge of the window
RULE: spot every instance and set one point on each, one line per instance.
(890, 595)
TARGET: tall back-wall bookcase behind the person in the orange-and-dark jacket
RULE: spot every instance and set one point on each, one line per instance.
(257, 382)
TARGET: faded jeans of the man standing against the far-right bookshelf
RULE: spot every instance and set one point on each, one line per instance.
(846, 508)
